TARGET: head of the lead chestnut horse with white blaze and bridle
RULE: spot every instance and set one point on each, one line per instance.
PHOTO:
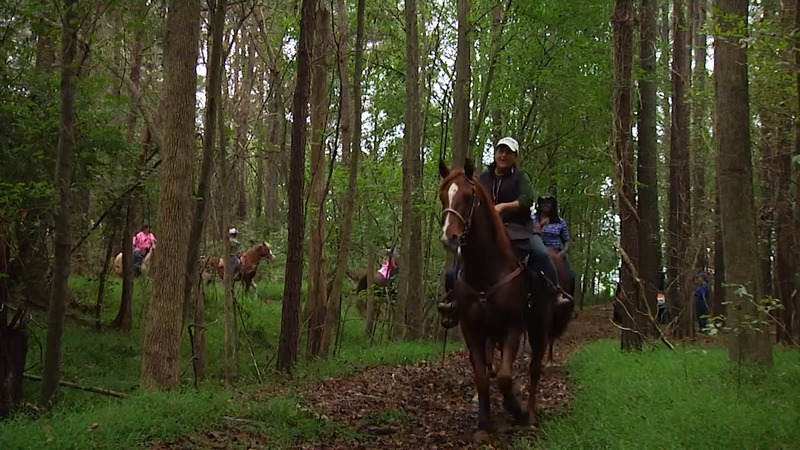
(459, 197)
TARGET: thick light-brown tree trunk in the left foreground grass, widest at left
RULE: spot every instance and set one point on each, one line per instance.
(162, 336)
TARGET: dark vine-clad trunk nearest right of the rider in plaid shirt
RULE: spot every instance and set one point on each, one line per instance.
(622, 23)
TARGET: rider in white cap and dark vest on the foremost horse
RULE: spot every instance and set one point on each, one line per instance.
(511, 191)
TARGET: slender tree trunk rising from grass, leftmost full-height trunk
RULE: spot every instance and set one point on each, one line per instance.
(51, 371)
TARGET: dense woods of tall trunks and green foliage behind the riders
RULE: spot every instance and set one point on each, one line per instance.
(667, 130)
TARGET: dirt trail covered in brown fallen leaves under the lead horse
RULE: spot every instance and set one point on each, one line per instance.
(425, 405)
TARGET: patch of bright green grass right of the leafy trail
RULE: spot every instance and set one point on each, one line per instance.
(690, 398)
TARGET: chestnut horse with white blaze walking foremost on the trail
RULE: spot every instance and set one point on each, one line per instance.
(491, 297)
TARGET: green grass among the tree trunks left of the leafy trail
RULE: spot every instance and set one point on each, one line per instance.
(112, 359)
